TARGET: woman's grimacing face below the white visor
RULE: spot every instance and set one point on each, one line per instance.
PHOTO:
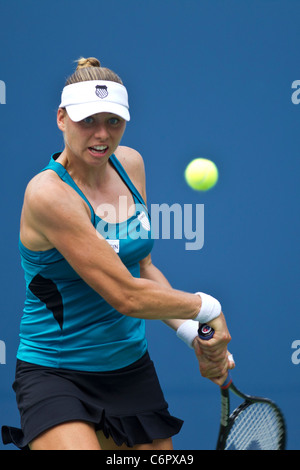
(93, 139)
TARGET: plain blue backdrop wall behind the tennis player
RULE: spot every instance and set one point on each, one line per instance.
(206, 78)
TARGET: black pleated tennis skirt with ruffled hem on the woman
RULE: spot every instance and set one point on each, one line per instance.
(126, 404)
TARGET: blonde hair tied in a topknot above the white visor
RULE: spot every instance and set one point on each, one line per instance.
(90, 69)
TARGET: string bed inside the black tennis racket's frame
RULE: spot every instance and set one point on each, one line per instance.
(257, 427)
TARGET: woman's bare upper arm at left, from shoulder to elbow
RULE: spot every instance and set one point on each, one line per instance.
(64, 220)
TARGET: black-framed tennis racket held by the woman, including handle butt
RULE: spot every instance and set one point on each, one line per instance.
(256, 424)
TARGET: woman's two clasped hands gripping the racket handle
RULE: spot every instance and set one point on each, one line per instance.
(213, 356)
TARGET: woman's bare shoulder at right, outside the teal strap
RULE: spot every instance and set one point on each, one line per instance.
(133, 163)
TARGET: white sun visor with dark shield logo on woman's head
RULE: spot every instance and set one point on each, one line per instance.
(83, 99)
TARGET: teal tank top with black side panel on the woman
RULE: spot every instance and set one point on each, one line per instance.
(65, 323)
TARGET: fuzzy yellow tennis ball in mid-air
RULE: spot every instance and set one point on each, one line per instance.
(201, 174)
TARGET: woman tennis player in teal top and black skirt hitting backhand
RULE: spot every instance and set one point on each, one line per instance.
(84, 379)
